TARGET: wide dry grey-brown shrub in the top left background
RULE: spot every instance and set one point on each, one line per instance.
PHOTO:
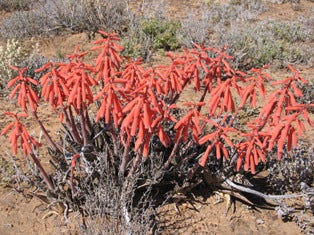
(56, 16)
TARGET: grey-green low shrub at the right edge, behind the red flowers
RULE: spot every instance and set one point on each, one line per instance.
(268, 42)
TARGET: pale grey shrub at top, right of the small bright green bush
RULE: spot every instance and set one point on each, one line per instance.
(199, 26)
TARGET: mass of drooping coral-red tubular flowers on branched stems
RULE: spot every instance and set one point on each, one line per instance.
(136, 105)
